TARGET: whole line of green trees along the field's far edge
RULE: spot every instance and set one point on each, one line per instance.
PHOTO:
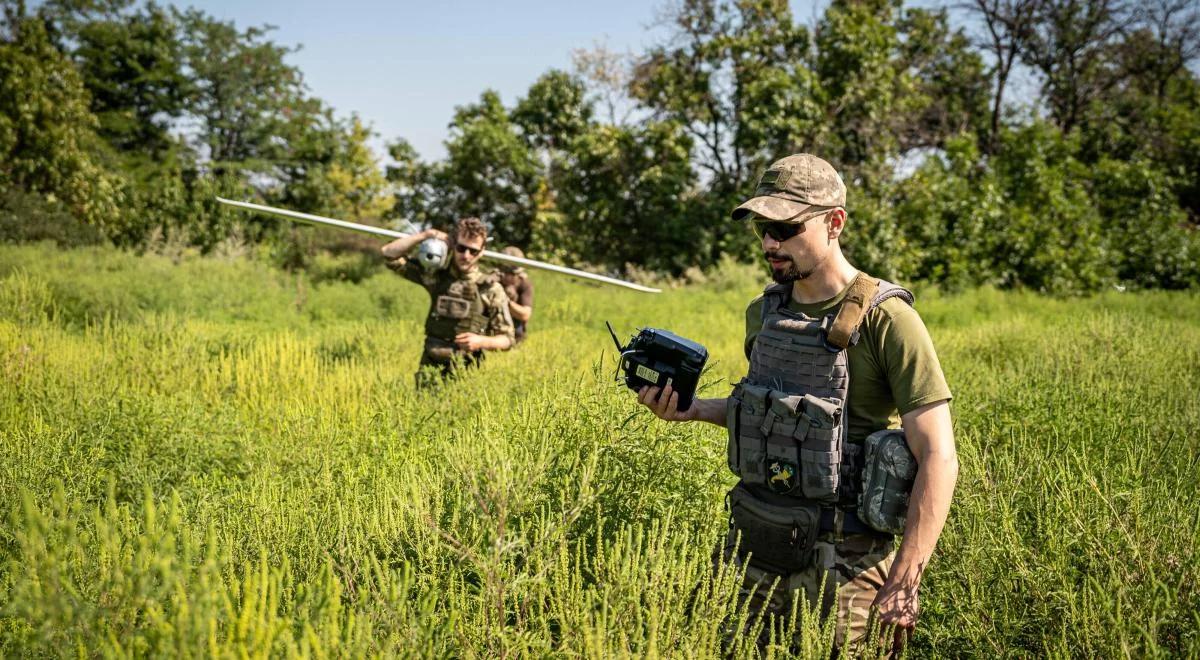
(949, 183)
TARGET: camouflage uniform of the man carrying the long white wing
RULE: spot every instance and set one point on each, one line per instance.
(459, 303)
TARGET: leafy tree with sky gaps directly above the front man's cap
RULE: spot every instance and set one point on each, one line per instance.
(734, 76)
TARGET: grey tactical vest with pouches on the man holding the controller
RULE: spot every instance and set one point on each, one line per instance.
(800, 475)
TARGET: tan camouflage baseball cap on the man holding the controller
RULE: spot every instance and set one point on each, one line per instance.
(791, 187)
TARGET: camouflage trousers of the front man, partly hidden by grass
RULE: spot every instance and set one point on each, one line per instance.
(847, 575)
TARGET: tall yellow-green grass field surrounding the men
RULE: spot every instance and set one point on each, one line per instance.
(212, 458)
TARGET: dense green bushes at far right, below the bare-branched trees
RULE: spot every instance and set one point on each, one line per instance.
(1040, 218)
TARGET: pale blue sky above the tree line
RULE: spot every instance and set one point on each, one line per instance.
(404, 67)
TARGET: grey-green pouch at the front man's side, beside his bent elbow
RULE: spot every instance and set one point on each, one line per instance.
(889, 473)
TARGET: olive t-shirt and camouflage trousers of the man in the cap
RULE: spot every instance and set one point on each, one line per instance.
(893, 370)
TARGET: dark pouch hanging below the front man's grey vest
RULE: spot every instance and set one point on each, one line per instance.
(777, 538)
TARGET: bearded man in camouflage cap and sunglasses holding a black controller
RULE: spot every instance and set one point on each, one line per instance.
(839, 361)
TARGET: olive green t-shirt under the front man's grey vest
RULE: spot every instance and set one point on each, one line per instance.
(893, 368)
